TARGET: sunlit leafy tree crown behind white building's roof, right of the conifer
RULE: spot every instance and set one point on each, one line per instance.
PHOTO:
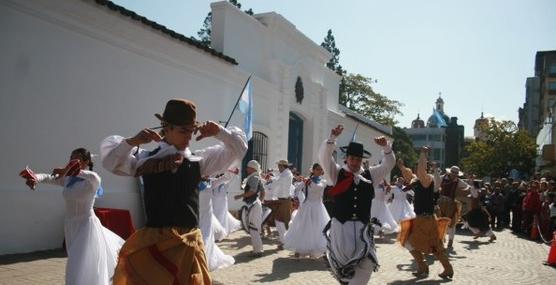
(360, 97)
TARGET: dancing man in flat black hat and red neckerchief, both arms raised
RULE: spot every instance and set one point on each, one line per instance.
(351, 250)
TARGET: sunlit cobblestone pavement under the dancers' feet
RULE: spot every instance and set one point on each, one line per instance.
(508, 260)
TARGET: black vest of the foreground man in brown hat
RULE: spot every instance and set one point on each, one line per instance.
(172, 199)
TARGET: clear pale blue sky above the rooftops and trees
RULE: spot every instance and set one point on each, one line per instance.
(478, 53)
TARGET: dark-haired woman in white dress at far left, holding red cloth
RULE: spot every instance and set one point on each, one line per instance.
(92, 249)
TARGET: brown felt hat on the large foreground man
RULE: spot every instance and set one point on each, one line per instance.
(179, 112)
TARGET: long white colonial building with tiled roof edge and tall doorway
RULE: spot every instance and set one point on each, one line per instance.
(73, 72)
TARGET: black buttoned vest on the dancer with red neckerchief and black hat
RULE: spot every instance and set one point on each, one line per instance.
(355, 203)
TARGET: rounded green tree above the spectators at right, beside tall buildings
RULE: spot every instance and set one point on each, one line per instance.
(503, 147)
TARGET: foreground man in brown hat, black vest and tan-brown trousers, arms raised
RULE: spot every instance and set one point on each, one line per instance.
(170, 250)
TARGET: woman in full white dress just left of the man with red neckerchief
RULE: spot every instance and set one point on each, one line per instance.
(305, 236)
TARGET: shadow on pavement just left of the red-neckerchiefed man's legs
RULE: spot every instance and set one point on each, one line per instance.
(282, 268)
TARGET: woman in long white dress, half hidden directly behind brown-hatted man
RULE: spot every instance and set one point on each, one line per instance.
(215, 257)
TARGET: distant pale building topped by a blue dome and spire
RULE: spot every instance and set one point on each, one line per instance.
(441, 133)
